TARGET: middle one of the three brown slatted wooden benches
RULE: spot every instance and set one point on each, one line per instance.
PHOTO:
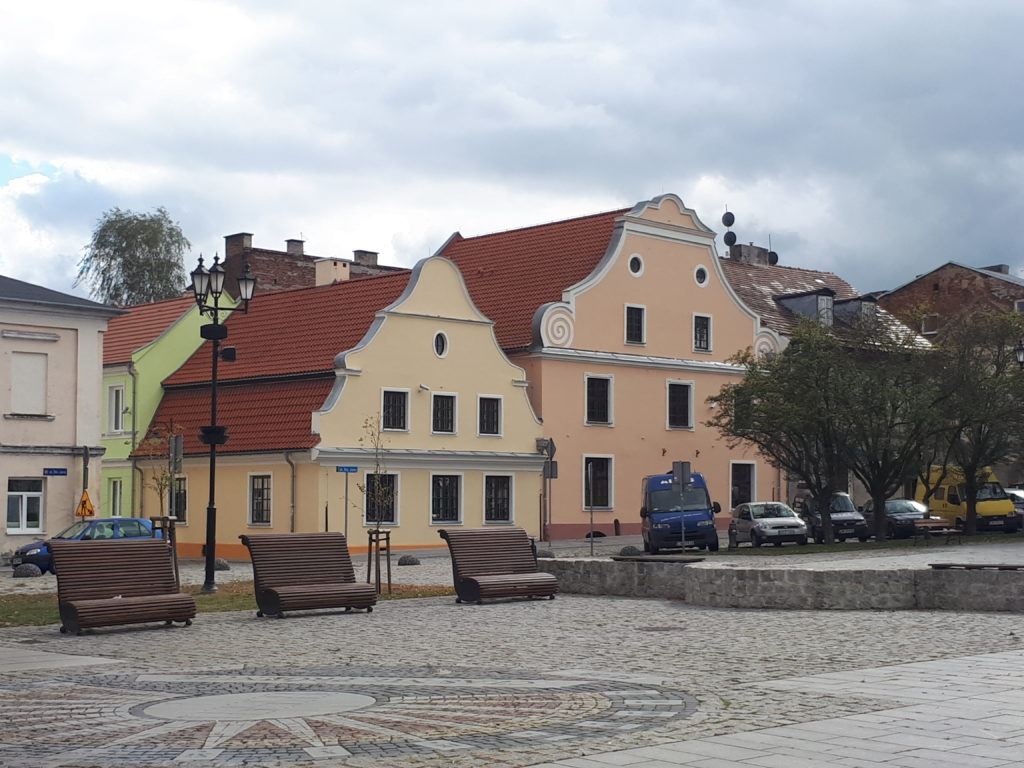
(305, 572)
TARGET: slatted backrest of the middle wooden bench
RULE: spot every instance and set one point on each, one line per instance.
(290, 560)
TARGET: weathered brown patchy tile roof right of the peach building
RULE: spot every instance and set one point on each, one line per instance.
(758, 287)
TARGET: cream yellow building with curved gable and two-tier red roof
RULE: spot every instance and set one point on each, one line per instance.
(398, 377)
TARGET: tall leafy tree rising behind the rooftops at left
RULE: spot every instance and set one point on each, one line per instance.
(135, 259)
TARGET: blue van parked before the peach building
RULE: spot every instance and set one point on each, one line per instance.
(665, 509)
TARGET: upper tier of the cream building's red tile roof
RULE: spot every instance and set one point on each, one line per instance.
(289, 333)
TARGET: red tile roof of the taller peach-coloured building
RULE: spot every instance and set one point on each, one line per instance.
(511, 274)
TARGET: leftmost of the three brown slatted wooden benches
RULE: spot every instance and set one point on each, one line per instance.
(105, 584)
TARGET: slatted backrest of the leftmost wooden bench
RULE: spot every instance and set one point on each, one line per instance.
(92, 571)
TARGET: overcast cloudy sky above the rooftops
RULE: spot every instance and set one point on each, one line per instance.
(875, 140)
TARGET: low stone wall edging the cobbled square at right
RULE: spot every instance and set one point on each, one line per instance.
(795, 588)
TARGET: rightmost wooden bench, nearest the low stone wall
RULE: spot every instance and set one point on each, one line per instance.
(496, 563)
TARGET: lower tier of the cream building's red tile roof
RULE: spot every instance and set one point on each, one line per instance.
(273, 416)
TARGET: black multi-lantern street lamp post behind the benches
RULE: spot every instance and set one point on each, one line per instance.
(208, 286)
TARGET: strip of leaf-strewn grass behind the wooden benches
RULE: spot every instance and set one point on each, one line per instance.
(41, 609)
